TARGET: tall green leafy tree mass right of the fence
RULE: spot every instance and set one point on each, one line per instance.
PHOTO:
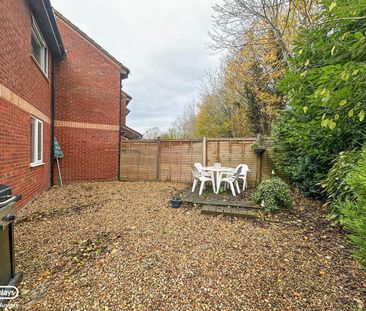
(326, 98)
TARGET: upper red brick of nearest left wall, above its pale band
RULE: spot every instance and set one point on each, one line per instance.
(18, 71)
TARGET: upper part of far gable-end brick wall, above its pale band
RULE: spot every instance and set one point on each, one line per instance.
(87, 82)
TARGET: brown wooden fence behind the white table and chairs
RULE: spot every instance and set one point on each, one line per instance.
(172, 160)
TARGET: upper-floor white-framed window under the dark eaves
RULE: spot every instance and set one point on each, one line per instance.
(39, 47)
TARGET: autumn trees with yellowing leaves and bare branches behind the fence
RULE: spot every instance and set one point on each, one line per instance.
(259, 36)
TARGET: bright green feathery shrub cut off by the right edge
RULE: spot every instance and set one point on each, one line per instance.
(354, 212)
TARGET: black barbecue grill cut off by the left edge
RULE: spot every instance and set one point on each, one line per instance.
(8, 277)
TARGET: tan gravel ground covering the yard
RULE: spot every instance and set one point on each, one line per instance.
(119, 246)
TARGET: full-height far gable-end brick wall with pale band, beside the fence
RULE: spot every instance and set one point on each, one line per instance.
(87, 109)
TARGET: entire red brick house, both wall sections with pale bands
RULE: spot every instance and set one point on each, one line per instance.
(87, 101)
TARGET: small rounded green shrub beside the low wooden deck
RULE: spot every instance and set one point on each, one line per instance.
(274, 193)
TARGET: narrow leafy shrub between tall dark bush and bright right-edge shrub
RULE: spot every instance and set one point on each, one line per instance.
(335, 185)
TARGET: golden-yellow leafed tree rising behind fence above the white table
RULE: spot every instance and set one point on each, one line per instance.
(253, 73)
